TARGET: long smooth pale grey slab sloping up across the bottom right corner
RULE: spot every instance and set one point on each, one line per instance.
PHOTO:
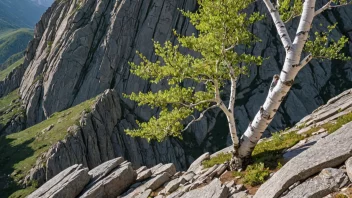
(331, 151)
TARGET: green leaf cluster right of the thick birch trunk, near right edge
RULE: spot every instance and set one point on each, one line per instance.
(326, 48)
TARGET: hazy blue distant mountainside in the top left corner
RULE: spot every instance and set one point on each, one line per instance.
(20, 13)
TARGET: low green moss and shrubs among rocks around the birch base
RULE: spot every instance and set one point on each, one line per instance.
(267, 155)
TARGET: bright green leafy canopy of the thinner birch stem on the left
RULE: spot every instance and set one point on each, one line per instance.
(222, 27)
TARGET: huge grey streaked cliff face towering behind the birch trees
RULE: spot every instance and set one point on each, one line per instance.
(82, 47)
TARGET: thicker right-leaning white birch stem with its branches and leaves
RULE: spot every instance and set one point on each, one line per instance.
(299, 53)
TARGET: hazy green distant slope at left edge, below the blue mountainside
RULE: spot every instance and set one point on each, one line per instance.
(13, 42)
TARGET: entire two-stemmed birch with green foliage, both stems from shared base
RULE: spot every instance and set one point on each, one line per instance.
(224, 27)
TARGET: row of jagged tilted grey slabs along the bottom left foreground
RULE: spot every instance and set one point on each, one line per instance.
(117, 178)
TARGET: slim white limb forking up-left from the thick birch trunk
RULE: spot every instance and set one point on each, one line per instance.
(280, 26)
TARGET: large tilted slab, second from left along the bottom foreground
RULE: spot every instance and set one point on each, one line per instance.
(113, 184)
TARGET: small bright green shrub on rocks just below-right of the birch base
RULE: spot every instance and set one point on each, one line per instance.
(256, 174)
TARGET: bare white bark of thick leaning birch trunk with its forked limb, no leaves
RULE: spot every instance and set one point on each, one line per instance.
(280, 88)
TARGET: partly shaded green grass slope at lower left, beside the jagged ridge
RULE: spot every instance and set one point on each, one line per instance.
(19, 151)
